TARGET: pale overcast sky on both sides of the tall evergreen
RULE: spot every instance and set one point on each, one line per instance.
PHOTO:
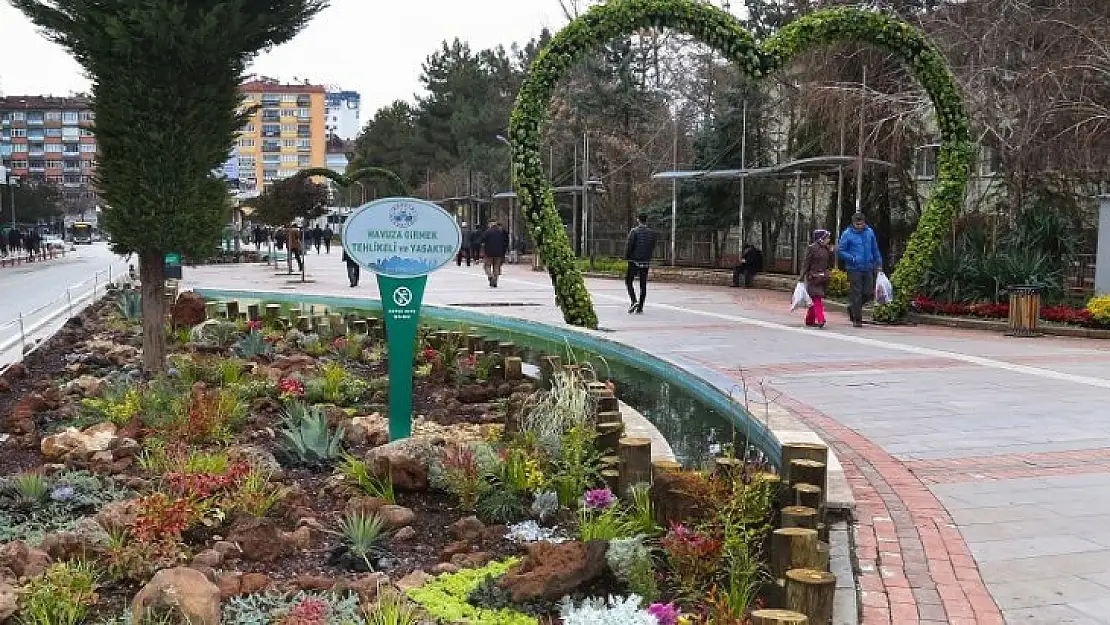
(374, 47)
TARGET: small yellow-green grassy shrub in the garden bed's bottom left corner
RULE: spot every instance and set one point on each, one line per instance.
(60, 597)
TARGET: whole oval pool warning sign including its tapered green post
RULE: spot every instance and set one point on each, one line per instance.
(402, 240)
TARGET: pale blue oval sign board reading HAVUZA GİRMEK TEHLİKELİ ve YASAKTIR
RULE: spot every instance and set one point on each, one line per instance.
(401, 237)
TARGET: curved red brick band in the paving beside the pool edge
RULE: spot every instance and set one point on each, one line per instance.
(915, 567)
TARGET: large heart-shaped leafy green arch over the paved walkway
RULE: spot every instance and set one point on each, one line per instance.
(728, 36)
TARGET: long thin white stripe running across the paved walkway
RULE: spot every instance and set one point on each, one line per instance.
(917, 350)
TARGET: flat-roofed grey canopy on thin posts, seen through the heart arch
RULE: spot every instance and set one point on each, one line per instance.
(811, 167)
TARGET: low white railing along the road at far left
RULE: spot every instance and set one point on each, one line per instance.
(31, 330)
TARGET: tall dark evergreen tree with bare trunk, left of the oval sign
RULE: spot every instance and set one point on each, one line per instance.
(166, 78)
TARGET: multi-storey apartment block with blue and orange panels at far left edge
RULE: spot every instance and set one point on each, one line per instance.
(47, 139)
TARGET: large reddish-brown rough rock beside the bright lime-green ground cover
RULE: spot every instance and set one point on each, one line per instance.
(552, 572)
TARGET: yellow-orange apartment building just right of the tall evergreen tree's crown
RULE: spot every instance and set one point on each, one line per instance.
(285, 135)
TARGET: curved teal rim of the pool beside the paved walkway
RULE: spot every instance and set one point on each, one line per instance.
(759, 435)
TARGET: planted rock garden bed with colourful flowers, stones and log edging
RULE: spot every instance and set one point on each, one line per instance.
(255, 482)
